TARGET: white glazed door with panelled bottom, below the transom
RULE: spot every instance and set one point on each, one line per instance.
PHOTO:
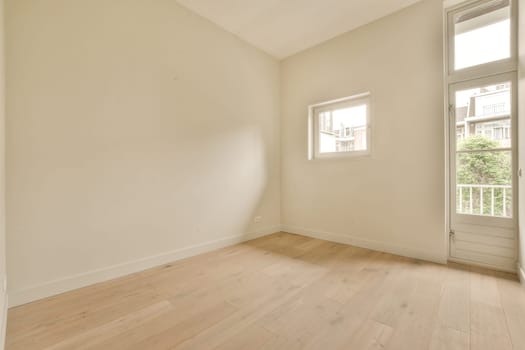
(483, 195)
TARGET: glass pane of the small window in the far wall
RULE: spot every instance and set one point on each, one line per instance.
(343, 130)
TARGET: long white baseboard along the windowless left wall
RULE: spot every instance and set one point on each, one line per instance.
(27, 295)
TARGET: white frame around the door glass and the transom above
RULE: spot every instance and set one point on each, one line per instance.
(505, 69)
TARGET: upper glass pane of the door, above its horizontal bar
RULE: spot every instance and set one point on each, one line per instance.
(483, 117)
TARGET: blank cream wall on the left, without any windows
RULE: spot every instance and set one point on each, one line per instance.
(135, 128)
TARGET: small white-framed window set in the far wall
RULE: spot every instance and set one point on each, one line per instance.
(340, 128)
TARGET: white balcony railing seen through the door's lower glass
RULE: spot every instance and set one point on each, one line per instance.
(489, 200)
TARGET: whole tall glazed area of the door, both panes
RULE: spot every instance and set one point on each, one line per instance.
(483, 151)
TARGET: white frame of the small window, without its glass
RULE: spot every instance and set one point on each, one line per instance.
(313, 126)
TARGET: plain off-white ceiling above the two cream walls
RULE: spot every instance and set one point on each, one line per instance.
(285, 27)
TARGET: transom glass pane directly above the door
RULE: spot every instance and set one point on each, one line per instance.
(482, 34)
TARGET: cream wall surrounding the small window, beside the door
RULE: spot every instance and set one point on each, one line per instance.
(395, 199)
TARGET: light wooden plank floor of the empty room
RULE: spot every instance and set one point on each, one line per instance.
(283, 292)
